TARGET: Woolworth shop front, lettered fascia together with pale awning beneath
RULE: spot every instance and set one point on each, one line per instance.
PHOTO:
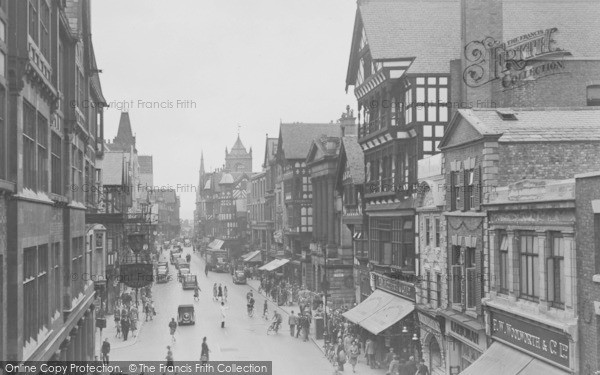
(525, 347)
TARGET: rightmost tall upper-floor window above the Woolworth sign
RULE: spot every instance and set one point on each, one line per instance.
(556, 272)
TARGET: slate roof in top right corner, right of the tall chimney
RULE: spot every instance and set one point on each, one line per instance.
(577, 24)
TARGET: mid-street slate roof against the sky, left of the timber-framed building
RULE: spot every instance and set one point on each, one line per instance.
(295, 138)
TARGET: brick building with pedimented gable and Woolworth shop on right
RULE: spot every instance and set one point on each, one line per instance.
(493, 161)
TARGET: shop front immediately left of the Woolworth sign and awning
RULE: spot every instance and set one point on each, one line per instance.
(466, 341)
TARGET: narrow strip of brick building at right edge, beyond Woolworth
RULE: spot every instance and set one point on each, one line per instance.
(587, 239)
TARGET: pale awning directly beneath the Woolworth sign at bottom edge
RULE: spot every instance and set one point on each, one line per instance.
(501, 359)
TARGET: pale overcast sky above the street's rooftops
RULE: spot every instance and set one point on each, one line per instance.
(251, 63)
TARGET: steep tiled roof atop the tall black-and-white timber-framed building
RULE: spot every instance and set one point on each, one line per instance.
(426, 31)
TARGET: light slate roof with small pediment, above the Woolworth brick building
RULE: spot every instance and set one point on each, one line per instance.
(530, 124)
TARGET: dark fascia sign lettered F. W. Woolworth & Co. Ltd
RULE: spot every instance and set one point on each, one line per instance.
(531, 337)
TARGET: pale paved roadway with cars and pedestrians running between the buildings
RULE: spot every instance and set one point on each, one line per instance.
(244, 338)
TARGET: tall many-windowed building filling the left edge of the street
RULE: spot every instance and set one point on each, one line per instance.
(48, 152)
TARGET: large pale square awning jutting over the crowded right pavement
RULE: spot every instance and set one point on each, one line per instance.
(379, 311)
